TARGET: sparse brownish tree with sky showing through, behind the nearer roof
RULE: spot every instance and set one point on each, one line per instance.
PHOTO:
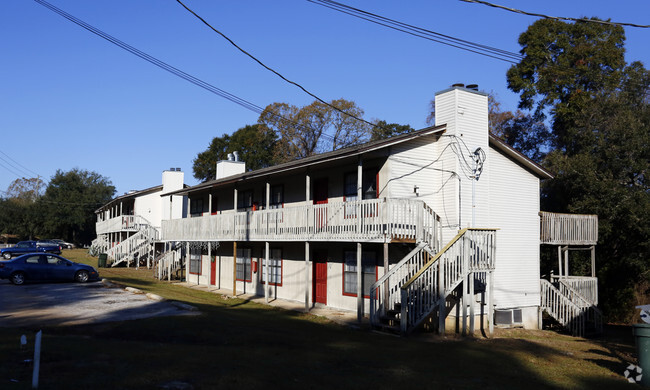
(315, 128)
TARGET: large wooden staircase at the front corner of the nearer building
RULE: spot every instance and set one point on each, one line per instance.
(418, 287)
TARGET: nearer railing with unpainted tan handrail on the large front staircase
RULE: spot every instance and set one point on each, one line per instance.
(471, 250)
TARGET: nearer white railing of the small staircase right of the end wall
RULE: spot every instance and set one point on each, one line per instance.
(562, 308)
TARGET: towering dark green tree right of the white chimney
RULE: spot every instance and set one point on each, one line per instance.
(576, 73)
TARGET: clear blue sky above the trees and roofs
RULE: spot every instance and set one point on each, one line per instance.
(70, 99)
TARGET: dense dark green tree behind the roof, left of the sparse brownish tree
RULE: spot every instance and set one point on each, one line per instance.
(255, 144)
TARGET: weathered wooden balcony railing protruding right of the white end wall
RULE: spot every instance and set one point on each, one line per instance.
(568, 229)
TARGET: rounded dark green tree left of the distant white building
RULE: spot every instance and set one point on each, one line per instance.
(70, 201)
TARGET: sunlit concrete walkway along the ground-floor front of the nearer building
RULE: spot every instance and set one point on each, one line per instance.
(342, 317)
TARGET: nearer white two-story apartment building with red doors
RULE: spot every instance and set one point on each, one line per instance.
(359, 228)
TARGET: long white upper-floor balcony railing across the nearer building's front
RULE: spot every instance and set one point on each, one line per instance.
(364, 220)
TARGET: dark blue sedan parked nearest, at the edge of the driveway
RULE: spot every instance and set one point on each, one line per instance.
(45, 267)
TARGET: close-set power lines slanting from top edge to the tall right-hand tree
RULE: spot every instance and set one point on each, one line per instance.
(488, 51)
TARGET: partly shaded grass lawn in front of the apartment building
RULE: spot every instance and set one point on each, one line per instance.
(235, 344)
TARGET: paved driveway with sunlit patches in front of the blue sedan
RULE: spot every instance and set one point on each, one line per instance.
(49, 304)
